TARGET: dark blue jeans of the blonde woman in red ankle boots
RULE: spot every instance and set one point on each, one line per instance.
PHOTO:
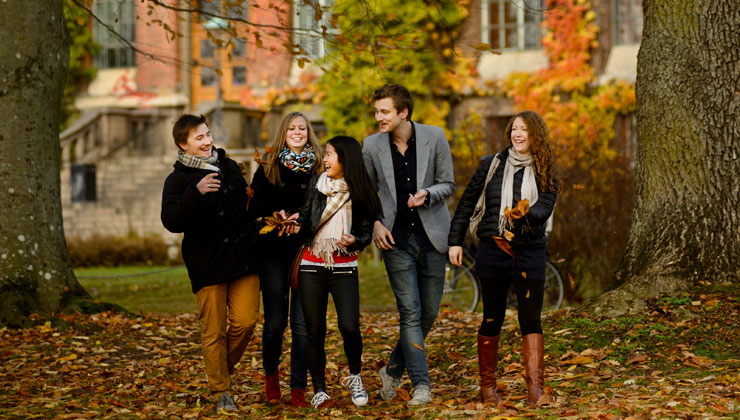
(276, 300)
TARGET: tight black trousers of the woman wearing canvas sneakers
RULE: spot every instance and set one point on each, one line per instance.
(315, 283)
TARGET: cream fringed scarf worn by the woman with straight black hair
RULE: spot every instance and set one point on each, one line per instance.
(339, 208)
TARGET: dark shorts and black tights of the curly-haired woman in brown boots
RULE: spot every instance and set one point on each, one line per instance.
(497, 271)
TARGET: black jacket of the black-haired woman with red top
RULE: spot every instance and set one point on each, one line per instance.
(362, 220)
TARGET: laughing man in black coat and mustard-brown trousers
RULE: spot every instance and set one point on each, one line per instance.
(205, 198)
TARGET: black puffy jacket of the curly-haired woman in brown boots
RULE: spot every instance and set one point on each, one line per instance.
(529, 231)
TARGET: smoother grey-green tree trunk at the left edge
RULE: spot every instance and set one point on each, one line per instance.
(35, 270)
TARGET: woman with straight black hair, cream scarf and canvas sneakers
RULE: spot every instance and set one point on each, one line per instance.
(336, 223)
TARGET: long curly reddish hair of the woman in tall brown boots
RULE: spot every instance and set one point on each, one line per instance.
(539, 146)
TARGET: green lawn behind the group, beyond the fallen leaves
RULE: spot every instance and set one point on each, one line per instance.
(167, 289)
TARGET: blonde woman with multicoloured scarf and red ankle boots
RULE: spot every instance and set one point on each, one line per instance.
(280, 185)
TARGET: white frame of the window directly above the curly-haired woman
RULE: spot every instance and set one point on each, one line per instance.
(522, 7)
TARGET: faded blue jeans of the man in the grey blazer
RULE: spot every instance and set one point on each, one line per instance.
(417, 280)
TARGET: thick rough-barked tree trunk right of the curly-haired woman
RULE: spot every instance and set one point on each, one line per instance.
(686, 220)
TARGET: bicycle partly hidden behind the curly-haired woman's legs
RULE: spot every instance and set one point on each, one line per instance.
(462, 285)
